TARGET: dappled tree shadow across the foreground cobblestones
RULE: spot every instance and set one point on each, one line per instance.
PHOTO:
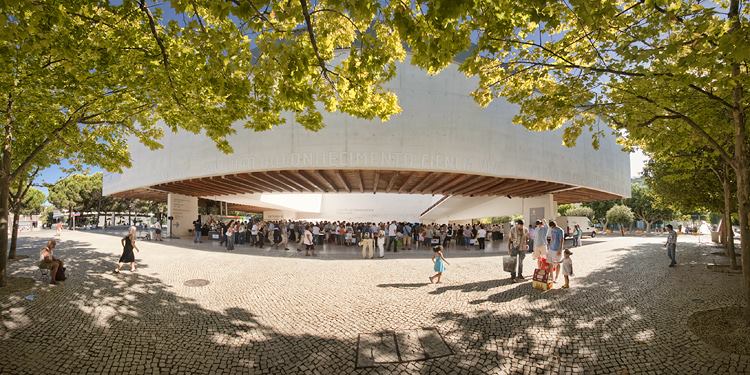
(134, 323)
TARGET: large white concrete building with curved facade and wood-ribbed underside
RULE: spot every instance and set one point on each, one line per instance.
(442, 159)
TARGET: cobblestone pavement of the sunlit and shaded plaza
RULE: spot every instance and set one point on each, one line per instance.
(626, 312)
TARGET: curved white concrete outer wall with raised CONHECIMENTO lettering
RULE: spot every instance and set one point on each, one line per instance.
(441, 128)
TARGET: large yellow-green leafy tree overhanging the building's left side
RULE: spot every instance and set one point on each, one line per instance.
(83, 77)
